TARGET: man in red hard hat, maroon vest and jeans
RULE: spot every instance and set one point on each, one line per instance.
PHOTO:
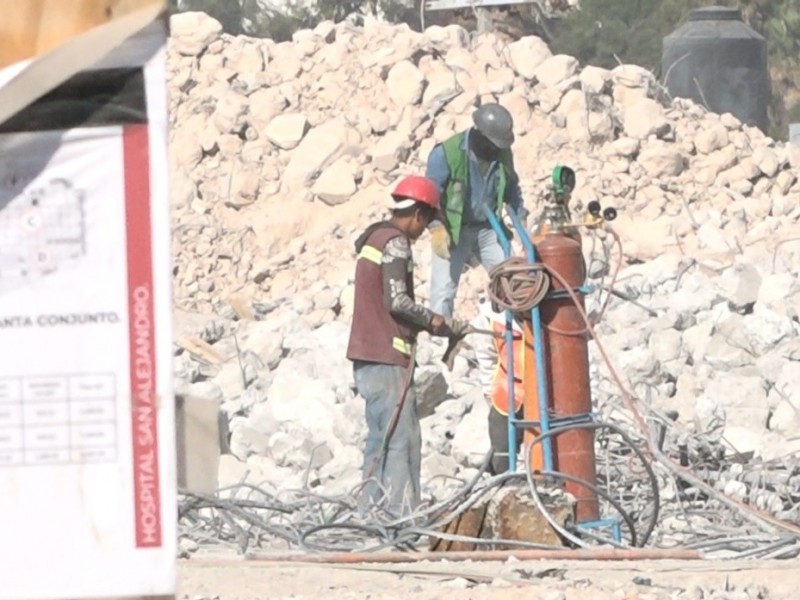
(386, 320)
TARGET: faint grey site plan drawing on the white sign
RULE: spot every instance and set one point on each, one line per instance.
(41, 228)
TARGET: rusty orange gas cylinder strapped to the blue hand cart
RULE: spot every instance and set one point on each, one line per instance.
(567, 356)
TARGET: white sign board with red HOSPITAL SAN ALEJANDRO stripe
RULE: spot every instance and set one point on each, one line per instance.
(87, 427)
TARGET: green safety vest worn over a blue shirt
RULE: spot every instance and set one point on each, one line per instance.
(457, 192)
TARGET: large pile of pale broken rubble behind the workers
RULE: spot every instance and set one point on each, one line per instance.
(283, 152)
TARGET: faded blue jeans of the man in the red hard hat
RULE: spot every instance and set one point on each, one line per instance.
(394, 481)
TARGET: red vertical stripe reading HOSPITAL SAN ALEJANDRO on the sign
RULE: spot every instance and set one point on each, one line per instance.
(144, 411)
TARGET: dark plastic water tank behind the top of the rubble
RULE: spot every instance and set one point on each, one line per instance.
(719, 62)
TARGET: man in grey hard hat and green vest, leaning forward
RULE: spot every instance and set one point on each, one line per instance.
(473, 169)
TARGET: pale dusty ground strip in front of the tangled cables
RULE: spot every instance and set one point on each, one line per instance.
(233, 579)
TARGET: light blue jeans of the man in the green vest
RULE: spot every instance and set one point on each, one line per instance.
(478, 241)
